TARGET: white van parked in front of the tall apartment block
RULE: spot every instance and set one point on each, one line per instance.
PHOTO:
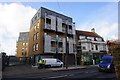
(52, 62)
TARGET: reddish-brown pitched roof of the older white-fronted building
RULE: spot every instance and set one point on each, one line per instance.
(87, 33)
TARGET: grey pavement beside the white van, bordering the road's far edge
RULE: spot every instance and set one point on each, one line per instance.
(28, 69)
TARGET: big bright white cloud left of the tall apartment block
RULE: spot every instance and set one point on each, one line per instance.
(14, 18)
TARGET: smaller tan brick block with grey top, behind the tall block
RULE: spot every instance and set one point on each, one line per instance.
(22, 45)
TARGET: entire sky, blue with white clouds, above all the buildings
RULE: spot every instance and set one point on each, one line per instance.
(15, 18)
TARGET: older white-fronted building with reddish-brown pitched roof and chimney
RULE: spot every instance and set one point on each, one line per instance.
(90, 47)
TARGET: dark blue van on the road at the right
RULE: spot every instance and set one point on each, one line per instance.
(106, 64)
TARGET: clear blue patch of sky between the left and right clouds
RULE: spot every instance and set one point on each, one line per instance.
(79, 11)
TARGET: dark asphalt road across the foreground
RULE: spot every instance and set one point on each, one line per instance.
(87, 73)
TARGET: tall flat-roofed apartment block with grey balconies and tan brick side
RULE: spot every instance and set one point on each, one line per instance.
(50, 34)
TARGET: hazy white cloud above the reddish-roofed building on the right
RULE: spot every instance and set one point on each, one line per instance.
(104, 20)
